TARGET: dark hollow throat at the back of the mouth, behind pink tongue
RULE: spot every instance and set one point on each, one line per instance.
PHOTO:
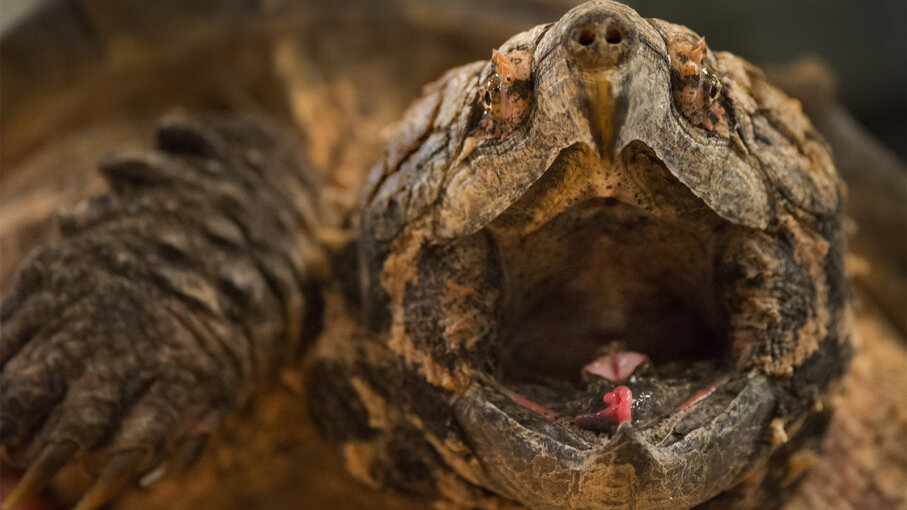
(629, 283)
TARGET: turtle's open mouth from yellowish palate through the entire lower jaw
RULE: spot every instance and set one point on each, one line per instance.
(616, 278)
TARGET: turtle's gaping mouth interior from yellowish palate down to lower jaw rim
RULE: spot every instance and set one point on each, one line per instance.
(622, 284)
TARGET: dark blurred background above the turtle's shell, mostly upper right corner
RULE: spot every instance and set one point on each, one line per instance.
(864, 43)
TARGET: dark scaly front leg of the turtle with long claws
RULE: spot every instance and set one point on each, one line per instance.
(162, 306)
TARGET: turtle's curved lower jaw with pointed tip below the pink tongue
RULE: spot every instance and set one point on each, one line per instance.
(549, 463)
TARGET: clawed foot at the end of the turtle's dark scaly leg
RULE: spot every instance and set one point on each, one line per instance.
(115, 371)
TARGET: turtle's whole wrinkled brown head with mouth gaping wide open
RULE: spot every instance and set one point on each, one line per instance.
(610, 215)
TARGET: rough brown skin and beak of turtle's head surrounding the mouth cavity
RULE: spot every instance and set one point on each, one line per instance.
(452, 206)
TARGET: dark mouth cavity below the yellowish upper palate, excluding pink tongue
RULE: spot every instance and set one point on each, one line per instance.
(606, 277)
